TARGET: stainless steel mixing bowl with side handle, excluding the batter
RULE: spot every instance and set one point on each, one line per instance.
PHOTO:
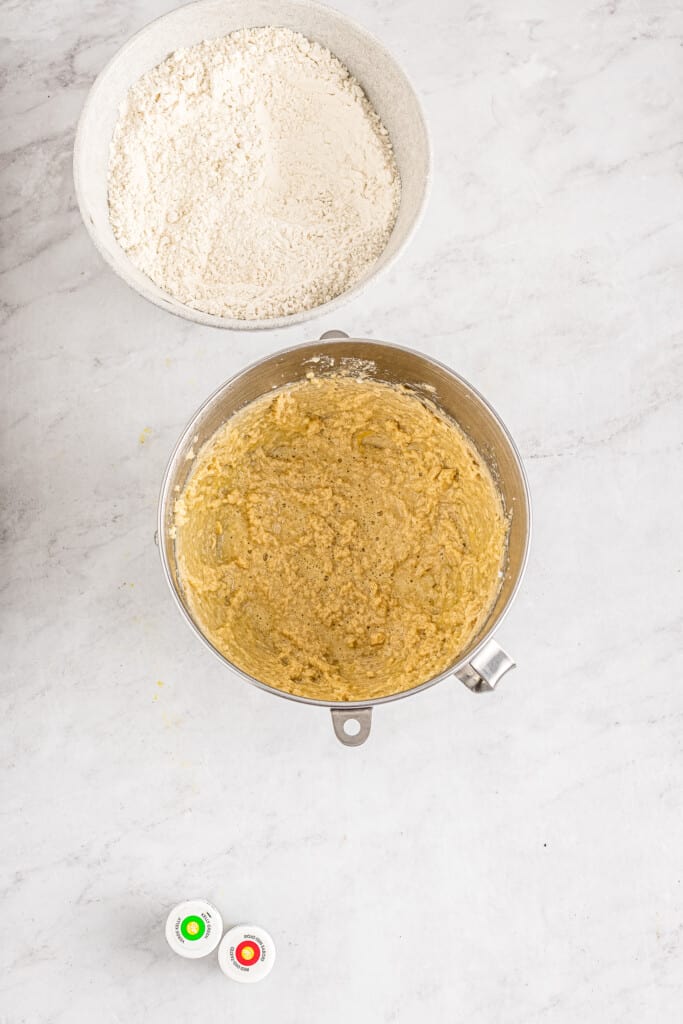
(484, 663)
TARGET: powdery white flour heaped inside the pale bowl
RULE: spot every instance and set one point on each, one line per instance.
(250, 178)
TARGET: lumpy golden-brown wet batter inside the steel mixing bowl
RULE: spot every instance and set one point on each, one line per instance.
(340, 540)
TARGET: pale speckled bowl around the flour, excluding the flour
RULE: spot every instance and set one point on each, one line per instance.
(376, 70)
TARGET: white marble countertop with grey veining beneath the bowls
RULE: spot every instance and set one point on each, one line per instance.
(493, 861)
